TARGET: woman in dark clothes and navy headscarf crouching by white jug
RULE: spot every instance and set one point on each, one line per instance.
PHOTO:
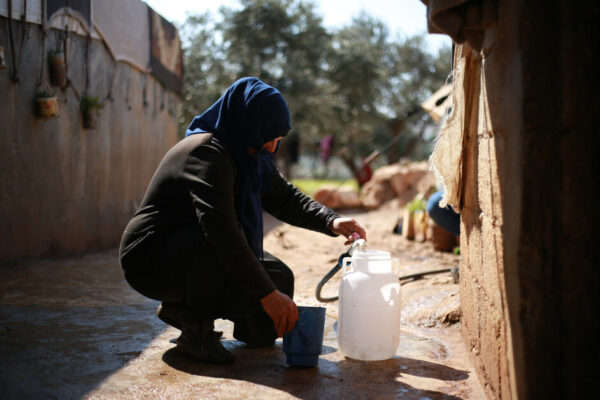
(196, 241)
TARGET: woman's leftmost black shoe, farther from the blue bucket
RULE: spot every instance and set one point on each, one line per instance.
(204, 345)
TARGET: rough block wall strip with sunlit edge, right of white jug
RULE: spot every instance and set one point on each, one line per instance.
(491, 203)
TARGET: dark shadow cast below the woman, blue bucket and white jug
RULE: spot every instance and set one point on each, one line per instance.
(330, 379)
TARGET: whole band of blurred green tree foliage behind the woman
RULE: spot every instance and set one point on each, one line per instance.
(355, 82)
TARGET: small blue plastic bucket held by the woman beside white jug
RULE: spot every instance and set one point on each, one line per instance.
(303, 344)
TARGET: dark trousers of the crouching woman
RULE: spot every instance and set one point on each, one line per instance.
(180, 267)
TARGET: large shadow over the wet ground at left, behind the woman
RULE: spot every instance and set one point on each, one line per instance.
(68, 324)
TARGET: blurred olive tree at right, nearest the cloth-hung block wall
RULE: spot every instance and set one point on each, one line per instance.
(379, 84)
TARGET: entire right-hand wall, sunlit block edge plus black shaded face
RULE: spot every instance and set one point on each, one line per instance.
(529, 276)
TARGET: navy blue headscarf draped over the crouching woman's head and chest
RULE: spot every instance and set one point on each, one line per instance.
(248, 115)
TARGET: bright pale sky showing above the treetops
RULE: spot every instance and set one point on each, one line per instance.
(405, 17)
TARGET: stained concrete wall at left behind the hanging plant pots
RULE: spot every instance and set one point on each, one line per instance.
(66, 189)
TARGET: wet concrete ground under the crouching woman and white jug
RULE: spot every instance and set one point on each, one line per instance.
(72, 328)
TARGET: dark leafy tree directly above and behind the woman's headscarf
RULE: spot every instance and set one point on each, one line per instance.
(283, 43)
